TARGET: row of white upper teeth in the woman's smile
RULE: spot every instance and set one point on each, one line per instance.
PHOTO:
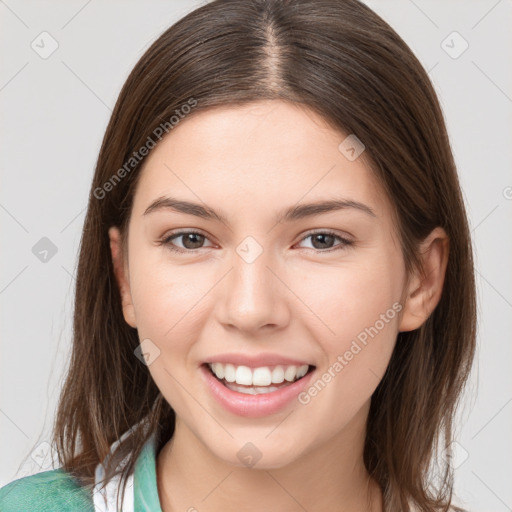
(262, 376)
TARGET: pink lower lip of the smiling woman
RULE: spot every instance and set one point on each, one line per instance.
(254, 406)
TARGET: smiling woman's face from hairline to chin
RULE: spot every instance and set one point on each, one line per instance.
(321, 287)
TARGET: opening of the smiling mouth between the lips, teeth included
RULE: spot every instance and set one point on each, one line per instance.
(257, 381)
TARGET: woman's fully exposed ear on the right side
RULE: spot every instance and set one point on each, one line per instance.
(426, 284)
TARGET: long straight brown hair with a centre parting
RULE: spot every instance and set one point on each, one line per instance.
(344, 62)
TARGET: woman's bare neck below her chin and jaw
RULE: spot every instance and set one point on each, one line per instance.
(331, 476)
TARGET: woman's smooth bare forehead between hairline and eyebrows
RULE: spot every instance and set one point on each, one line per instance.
(262, 154)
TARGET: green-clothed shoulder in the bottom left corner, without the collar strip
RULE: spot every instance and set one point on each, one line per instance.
(53, 490)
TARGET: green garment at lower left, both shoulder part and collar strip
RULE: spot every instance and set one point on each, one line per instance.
(56, 490)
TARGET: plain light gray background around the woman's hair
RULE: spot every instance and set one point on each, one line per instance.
(54, 112)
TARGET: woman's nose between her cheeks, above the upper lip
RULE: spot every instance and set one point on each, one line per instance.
(252, 296)
